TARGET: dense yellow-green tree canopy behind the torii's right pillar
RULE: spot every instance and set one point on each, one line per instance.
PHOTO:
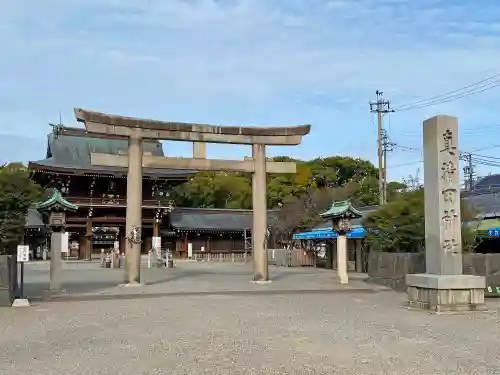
(234, 190)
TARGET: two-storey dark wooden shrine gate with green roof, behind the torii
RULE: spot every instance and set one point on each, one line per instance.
(100, 192)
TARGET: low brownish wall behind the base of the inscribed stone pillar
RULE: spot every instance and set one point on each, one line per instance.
(390, 269)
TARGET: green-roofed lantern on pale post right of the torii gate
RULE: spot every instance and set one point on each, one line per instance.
(341, 213)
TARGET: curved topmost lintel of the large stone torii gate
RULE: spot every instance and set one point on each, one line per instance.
(109, 125)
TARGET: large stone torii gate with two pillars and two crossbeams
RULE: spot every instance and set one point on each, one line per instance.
(136, 130)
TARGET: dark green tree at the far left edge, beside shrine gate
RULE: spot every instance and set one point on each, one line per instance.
(17, 193)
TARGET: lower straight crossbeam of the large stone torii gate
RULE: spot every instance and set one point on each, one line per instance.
(159, 162)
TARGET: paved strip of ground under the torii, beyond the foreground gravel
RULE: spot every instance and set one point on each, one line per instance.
(84, 280)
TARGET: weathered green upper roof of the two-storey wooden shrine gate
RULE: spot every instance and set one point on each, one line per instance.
(66, 153)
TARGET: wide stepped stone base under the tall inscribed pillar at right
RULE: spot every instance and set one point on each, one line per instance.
(446, 293)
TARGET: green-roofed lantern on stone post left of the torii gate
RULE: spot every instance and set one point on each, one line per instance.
(56, 207)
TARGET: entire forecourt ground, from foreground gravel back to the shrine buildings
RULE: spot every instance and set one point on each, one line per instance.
(226, 328)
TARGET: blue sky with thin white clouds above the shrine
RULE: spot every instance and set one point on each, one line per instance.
(251, 62)
